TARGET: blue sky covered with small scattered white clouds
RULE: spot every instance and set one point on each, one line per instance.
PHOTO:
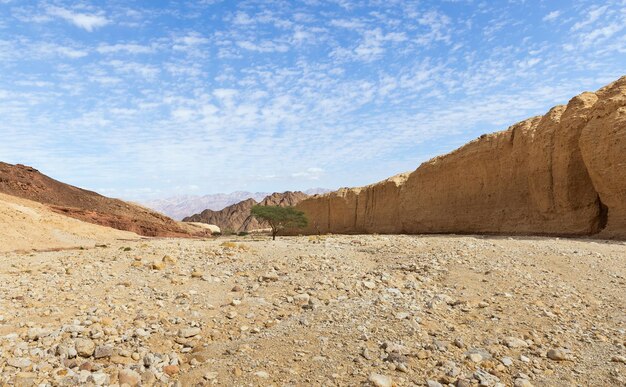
(147, 99)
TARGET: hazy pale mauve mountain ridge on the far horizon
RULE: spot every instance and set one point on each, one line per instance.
(179, 207)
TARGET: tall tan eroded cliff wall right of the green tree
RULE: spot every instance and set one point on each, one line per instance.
(563, 173)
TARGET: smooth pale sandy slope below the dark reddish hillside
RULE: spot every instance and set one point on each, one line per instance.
(27, 225)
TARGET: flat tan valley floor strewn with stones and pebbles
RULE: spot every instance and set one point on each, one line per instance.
(332, 310)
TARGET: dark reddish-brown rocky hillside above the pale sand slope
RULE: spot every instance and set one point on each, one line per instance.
(28, 183)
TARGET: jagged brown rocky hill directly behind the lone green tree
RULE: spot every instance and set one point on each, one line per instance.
(237, 218)
